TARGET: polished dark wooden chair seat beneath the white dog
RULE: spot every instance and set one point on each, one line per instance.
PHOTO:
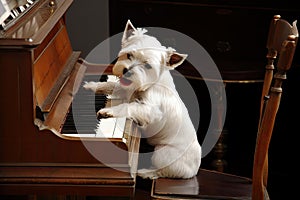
(206, 184)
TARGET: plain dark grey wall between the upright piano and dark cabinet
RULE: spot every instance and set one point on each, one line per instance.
(88, 24)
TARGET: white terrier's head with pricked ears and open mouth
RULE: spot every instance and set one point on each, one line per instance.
(143, 59)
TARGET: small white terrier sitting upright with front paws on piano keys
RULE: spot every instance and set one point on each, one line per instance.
(153, 103)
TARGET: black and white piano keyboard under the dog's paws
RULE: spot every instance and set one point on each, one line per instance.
(82, 121)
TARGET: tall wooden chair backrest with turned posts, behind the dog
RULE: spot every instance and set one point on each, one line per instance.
(281, 44)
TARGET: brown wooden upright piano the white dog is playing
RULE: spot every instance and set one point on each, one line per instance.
(42, 150)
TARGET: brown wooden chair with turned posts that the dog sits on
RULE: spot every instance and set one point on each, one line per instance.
(208, 184)
